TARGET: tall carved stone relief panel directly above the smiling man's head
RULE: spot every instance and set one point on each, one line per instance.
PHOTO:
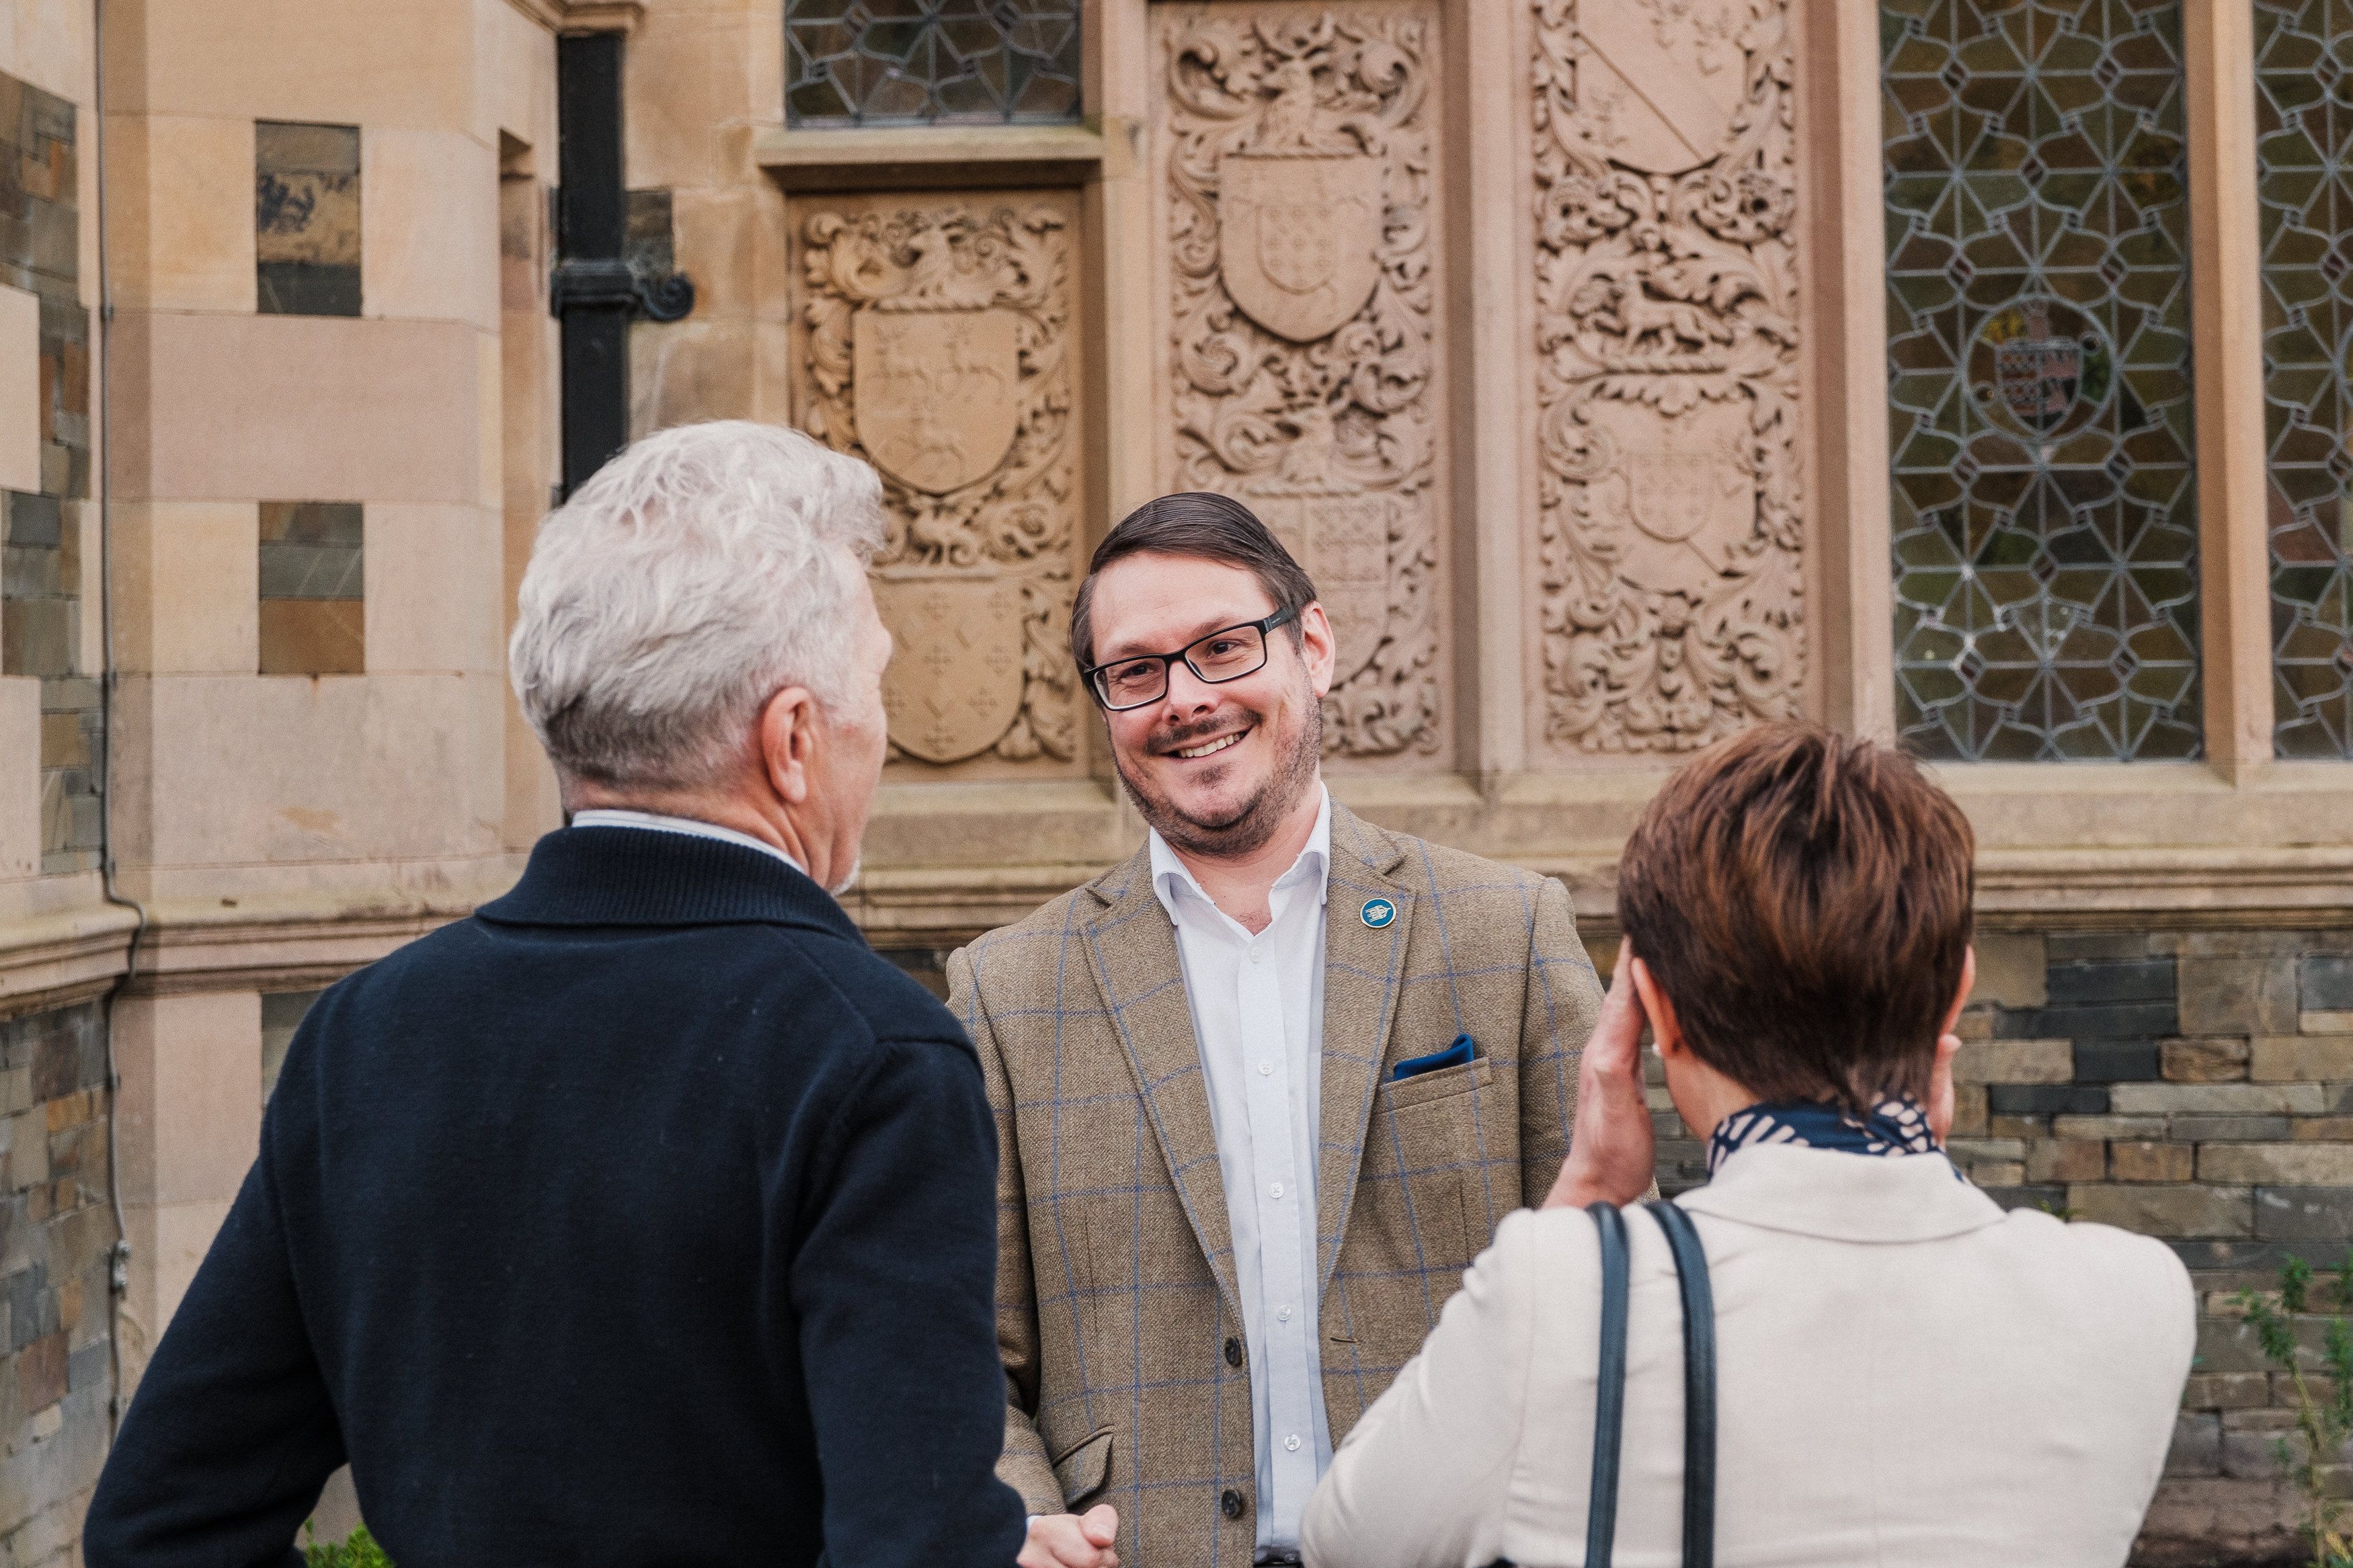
(1302, 373)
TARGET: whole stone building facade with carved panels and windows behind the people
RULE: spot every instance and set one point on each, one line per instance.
(1961, 373)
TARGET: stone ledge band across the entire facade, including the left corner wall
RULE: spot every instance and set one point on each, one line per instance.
(2088, 847)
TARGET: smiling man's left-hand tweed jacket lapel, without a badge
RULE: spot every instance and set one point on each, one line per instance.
(1133, 951)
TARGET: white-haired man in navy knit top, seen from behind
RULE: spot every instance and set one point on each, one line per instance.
(646, 1217)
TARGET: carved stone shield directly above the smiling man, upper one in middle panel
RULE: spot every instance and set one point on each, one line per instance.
(1298, 241)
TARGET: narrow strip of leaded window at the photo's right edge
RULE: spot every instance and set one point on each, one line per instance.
(2305, 185)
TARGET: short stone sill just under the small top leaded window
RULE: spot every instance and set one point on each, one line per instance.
(947, 156)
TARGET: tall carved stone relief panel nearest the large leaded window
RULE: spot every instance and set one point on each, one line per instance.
(1667, 373)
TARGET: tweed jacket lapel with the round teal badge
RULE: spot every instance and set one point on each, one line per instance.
(1364, 970)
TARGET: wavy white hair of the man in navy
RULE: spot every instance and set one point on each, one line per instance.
(698, 575)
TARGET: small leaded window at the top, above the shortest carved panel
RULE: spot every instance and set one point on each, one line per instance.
(926, 62)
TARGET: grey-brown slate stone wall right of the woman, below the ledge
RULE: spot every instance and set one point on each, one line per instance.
(2194, 1087)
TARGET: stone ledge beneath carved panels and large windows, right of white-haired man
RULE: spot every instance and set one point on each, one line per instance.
(2060, 847)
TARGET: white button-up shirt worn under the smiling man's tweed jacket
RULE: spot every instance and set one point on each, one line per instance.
(1258, 1017)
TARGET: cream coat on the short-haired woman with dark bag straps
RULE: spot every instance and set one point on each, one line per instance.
(1909, 1376)
